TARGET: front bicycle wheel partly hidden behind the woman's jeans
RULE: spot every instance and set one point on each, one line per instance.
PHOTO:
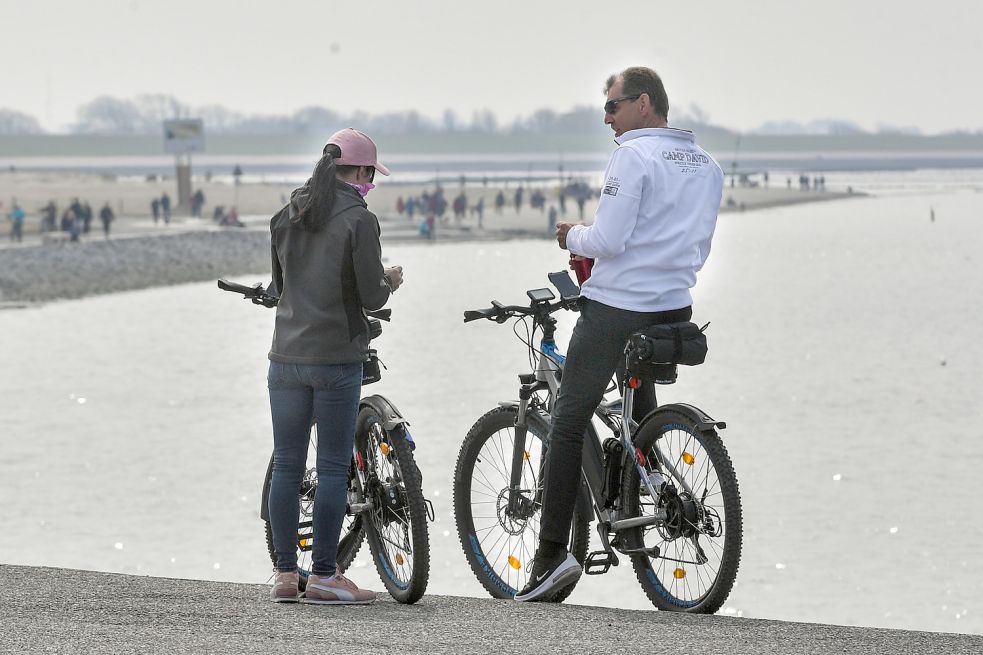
(352, 533)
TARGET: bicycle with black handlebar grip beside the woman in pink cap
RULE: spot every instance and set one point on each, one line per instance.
(385, 487)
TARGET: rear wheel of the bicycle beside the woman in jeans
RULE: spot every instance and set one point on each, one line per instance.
(397, 532)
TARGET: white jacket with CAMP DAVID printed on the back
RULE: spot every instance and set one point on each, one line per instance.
(654, 221)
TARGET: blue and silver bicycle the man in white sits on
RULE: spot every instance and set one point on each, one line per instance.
(663, 491)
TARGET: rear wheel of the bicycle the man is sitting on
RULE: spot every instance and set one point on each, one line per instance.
(700, 458)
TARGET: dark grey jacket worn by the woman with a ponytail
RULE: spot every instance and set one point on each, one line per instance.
(325, 279)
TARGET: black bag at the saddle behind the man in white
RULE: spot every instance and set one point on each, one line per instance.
(653, 353)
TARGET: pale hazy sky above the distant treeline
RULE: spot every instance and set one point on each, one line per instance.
(875, 62)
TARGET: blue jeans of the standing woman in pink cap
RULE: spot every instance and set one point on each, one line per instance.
(299, 394)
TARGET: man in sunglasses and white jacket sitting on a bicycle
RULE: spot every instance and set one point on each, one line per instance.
(651, 234)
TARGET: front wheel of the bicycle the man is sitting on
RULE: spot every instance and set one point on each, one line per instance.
(503, 570)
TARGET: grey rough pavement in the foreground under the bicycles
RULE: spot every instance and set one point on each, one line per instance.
(47, 610)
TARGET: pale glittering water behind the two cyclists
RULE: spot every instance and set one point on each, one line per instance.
(845, 358)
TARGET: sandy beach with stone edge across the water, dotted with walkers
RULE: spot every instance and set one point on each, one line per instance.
(140, 253)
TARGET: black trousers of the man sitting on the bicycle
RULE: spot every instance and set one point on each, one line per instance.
(596, 351)
